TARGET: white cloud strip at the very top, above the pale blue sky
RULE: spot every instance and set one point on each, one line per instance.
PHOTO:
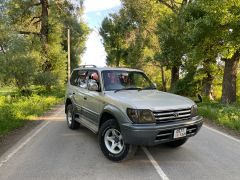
(100, 5)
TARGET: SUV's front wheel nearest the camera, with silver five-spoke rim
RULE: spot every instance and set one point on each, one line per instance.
(108, 137)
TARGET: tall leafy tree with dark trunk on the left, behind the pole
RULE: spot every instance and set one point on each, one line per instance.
(44, 24)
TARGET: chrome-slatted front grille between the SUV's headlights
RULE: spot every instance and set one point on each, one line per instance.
(172, 115)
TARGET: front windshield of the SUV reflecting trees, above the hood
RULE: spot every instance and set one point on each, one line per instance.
(116, 80)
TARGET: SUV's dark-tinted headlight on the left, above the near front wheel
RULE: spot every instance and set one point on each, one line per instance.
(140, 115)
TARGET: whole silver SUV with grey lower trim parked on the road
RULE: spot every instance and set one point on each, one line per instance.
(125, 109)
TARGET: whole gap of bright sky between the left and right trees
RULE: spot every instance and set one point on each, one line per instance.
(95, 12)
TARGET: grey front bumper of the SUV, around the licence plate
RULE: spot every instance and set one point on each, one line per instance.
(153, 134)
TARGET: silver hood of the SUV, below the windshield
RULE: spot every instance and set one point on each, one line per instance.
(150, 99)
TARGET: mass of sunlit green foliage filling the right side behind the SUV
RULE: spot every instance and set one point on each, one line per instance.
(193, 39)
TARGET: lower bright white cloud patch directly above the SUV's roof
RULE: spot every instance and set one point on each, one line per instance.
(95, 53)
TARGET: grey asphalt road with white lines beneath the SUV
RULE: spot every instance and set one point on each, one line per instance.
(52, 151)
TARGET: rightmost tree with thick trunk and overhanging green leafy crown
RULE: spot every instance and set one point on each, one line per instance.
(214, 25)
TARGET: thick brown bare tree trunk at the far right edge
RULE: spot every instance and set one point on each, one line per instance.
(229, 79)
